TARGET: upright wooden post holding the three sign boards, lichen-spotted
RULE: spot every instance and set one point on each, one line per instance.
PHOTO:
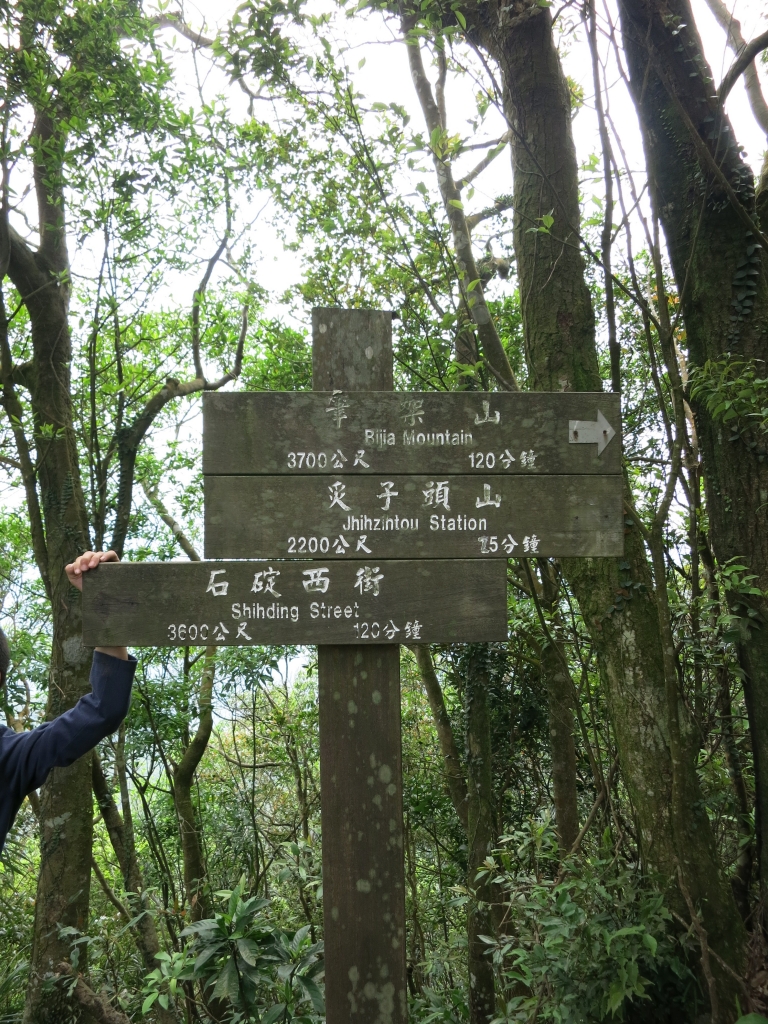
(364, 879)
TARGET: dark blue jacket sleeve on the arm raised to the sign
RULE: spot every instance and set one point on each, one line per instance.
(29, 757)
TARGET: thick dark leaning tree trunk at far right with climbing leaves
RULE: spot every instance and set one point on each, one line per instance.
(705, 198)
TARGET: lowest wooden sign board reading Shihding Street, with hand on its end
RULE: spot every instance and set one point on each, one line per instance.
(241, 604)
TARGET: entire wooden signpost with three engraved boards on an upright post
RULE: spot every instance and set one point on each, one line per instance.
(377, 519)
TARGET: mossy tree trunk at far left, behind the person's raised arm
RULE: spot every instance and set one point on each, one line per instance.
(60, 531)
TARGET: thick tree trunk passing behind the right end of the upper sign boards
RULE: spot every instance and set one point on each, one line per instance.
(562, 355)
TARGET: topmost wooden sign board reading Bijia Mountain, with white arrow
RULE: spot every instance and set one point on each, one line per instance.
(398, 433)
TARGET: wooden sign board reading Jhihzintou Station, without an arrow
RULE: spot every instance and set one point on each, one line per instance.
(428, 518)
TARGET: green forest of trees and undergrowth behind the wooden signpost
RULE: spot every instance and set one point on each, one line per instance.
(580, 802)
